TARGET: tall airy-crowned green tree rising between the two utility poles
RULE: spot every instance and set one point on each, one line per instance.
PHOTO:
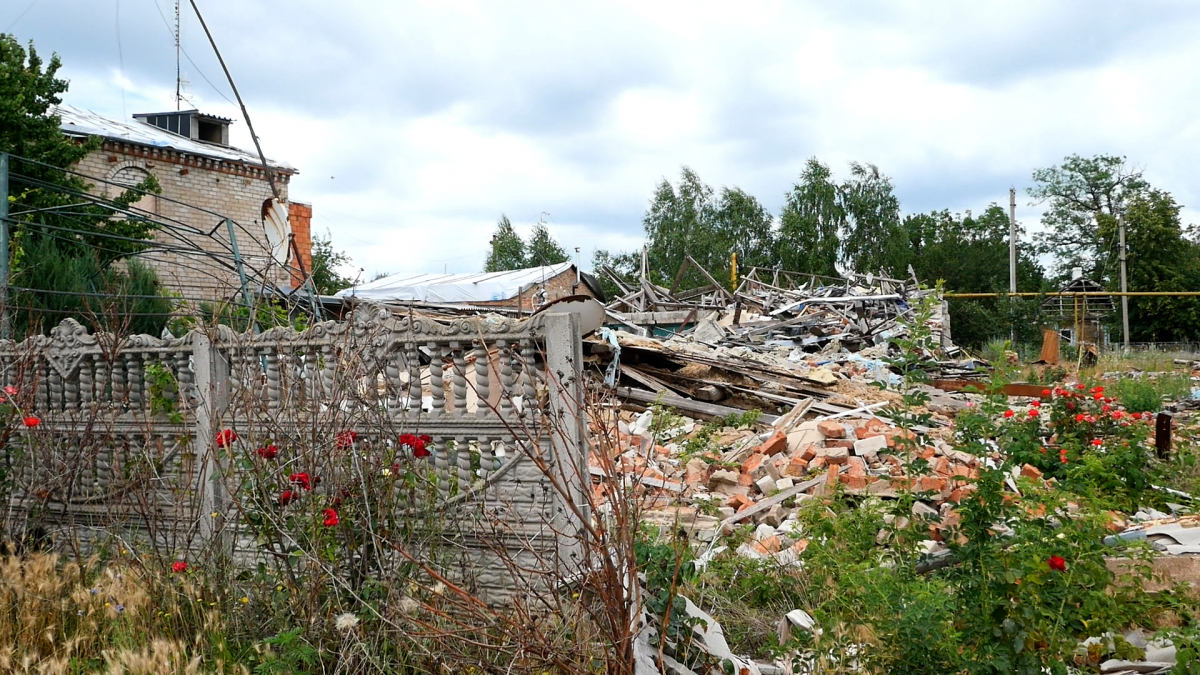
(1084, 196)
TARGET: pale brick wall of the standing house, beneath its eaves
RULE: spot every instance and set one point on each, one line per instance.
(202, 266)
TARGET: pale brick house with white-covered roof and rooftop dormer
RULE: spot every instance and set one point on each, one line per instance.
(205, 181)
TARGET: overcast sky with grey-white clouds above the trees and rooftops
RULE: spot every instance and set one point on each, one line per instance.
(416, 126)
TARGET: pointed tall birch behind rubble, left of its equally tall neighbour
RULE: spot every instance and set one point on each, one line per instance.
(811, 223)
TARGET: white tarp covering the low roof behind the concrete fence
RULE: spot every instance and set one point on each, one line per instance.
(473, 288)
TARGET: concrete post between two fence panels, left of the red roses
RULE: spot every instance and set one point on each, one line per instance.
(212, 371)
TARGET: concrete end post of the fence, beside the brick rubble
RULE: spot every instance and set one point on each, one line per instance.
(568, 420)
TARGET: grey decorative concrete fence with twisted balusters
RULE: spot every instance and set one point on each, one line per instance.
(130, 450)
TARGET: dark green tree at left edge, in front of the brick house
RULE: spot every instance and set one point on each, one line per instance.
(63, 252)
